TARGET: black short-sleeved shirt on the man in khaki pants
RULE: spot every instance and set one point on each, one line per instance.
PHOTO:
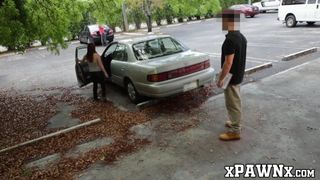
(235, 43)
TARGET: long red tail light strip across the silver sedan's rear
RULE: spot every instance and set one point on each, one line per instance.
(178, 72)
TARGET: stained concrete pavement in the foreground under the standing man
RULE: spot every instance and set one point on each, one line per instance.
(281, 125)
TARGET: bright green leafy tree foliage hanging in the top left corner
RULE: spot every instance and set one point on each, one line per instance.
(50, 21)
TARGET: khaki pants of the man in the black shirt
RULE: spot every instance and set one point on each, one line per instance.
(233, 105)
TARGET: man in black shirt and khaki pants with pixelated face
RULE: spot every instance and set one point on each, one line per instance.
(233, 60)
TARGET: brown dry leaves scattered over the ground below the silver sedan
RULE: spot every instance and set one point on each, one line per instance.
(115, 123)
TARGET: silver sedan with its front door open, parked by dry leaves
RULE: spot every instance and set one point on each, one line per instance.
(153, 66)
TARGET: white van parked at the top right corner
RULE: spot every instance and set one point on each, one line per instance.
(293, 11)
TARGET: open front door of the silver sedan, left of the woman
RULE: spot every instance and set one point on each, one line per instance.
(81, 68)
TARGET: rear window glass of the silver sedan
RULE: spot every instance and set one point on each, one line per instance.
(156, 48)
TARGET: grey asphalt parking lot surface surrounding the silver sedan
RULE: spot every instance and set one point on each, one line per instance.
(268, 42)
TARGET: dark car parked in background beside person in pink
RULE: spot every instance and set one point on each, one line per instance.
(90, 33)
